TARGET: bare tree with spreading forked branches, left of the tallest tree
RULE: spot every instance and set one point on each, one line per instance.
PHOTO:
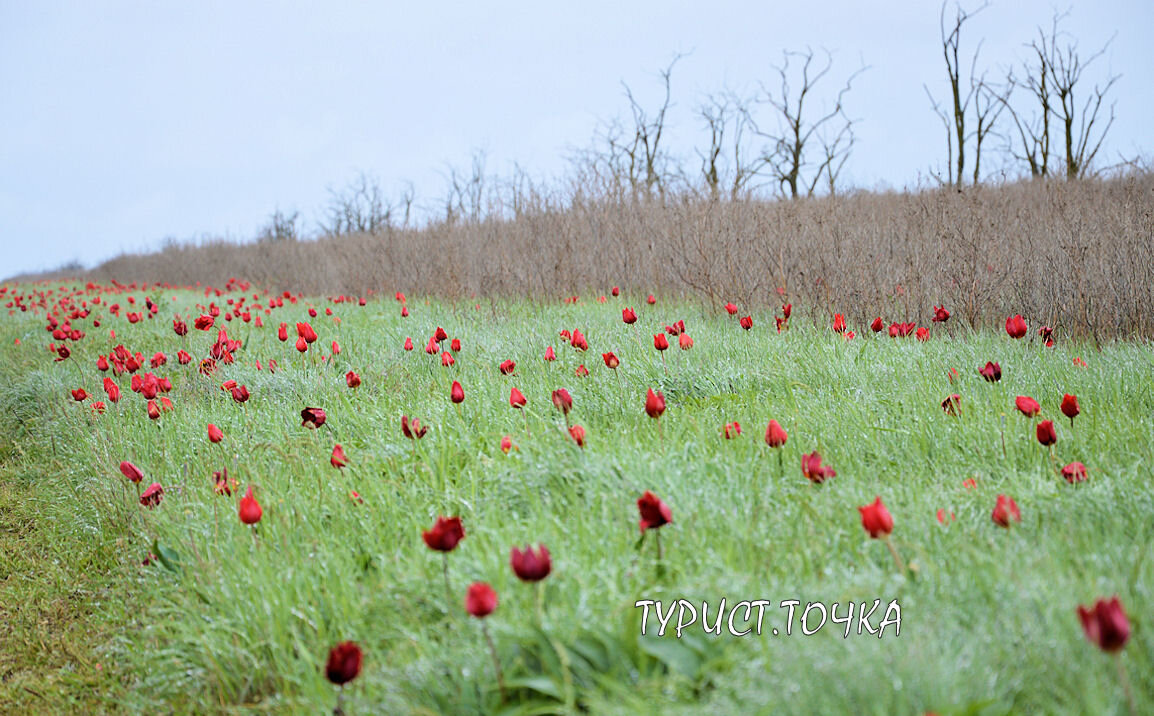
(786, 156)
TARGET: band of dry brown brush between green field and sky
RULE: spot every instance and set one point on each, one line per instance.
(1078, 257)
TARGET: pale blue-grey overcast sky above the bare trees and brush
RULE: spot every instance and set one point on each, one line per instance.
(126, 123)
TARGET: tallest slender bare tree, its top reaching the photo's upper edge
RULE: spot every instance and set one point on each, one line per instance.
(954, 118)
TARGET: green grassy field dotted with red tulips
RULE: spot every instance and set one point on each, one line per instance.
(231, 618)
